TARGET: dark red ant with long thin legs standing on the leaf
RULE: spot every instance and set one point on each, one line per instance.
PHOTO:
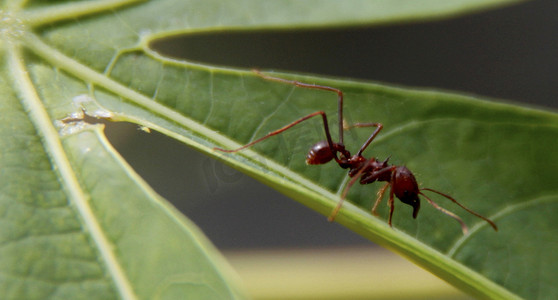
(402, 181)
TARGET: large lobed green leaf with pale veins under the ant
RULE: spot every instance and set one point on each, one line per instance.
(78, 222)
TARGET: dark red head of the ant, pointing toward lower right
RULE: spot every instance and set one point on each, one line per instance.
(406, 188)
